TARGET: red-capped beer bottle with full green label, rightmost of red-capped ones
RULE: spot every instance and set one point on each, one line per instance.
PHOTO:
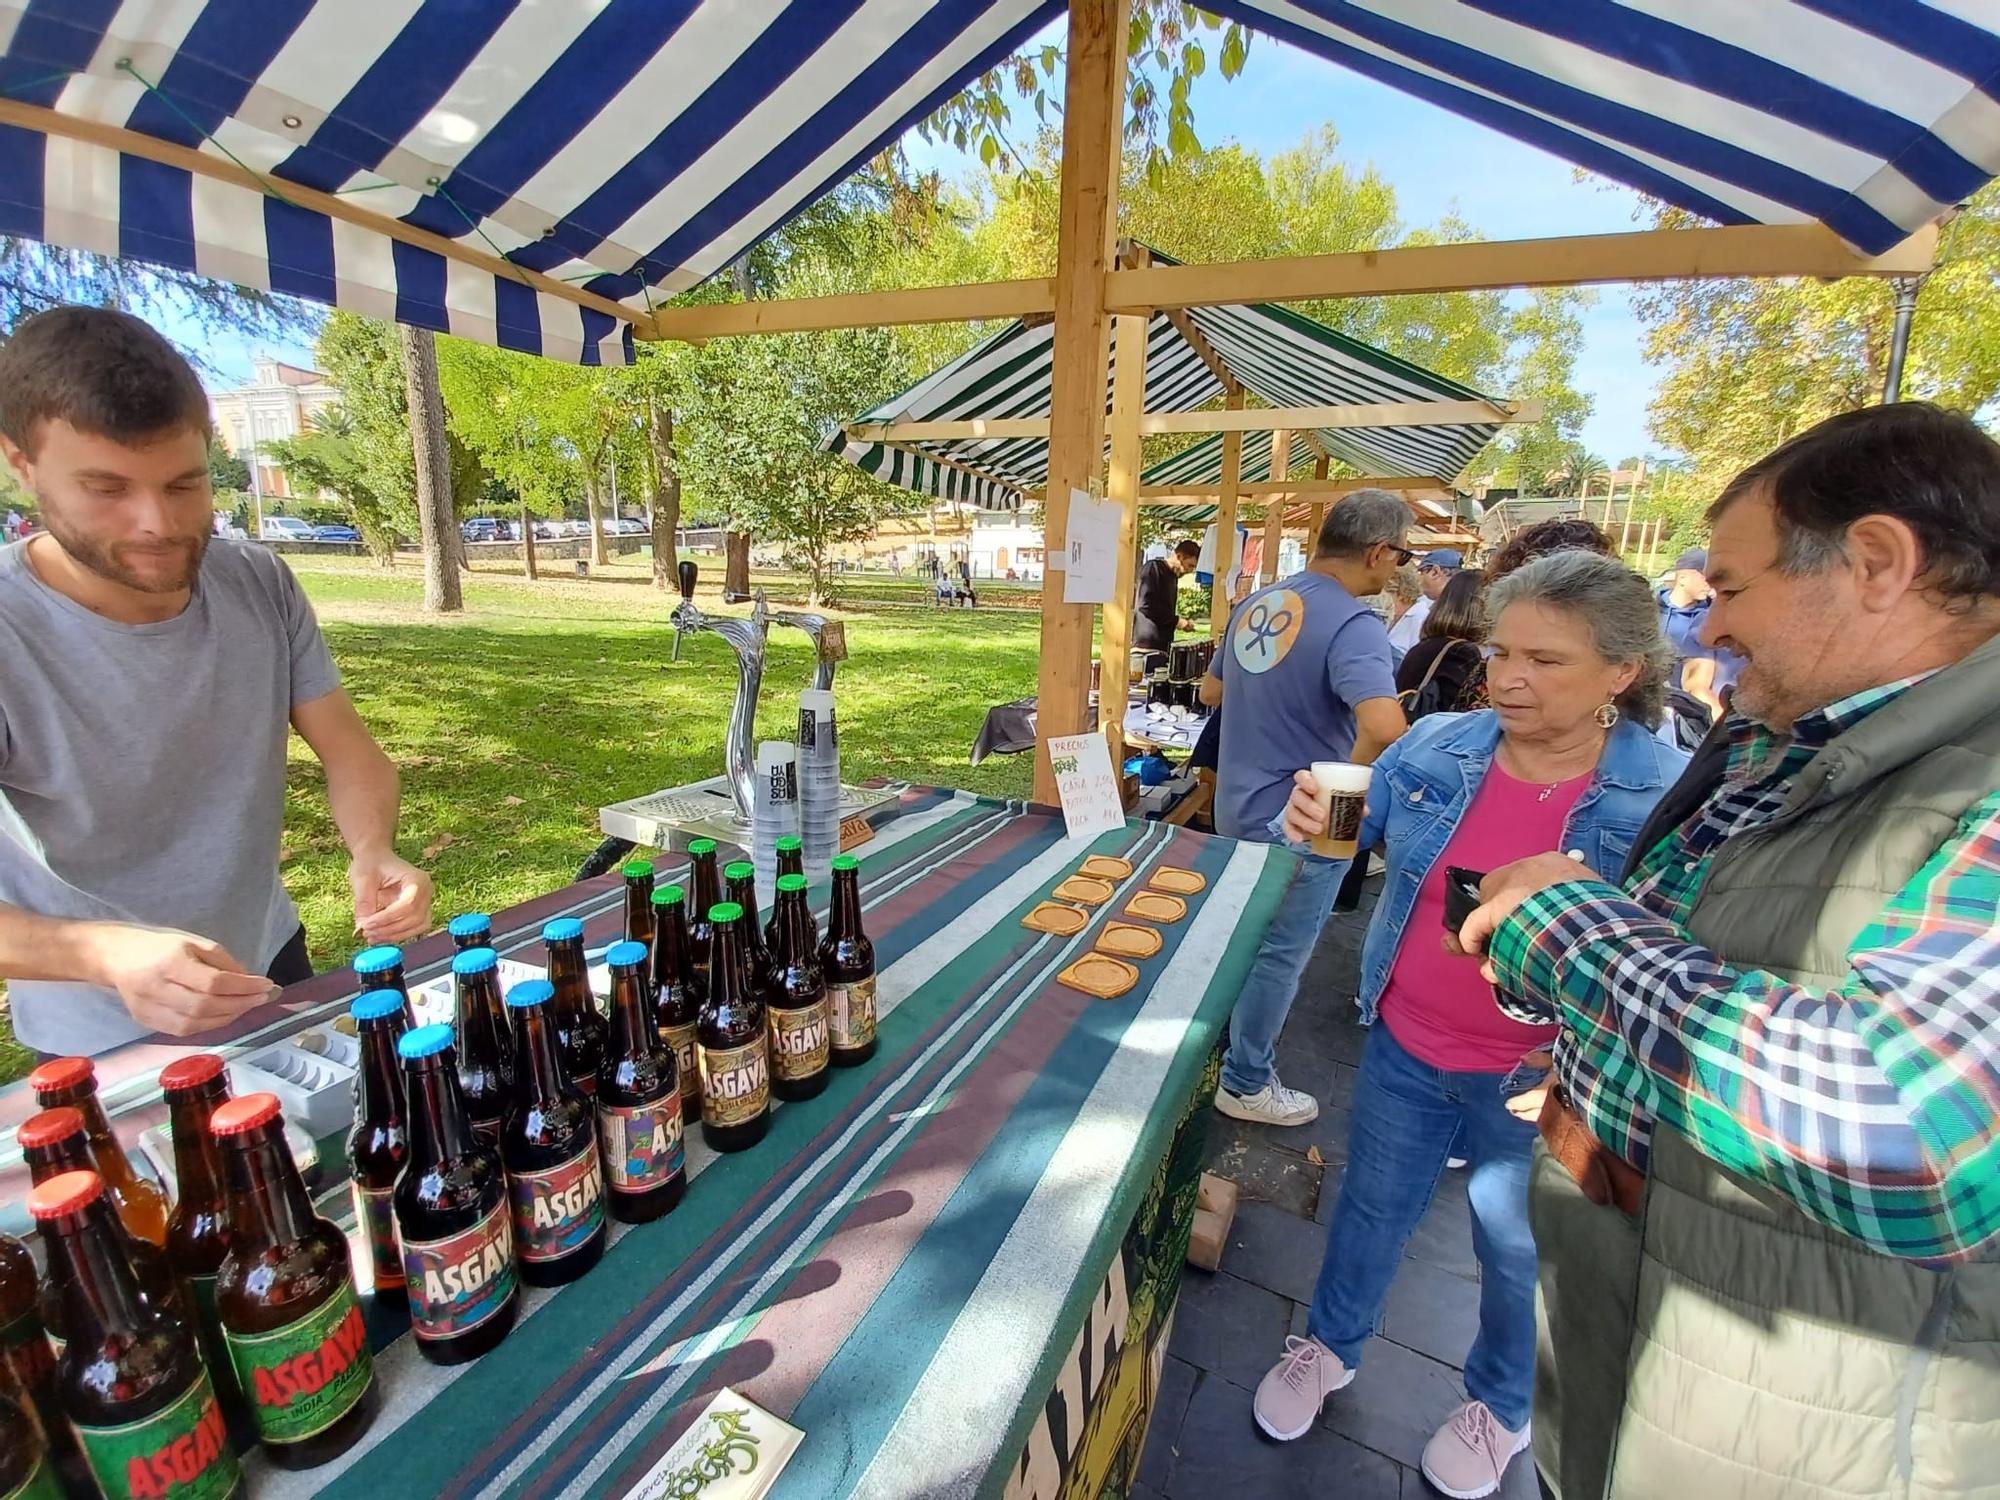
(287, 1299)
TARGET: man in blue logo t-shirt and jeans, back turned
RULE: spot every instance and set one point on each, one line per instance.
(1305, 675)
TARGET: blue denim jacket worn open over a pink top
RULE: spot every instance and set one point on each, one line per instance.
(1425, 783)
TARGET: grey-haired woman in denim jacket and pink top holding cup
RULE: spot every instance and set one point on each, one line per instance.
(1561, 759)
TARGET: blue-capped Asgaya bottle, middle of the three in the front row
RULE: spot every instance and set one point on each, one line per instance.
(551, 1151)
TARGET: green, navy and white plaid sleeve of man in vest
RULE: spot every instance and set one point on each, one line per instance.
(1873, 1107)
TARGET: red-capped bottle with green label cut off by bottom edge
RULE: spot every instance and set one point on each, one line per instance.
(131, 1379)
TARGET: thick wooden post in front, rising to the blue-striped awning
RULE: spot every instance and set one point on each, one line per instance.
(1087, 227)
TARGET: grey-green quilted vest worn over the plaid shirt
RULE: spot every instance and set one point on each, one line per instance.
(1775, 1357)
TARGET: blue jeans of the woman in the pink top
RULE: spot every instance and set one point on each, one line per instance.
(1405, 1119)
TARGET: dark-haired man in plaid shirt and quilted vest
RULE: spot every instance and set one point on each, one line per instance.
(1773, 1145)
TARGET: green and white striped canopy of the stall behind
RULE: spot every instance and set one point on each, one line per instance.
(1279, 357)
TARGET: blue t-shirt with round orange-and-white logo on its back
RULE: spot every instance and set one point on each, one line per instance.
(1297, 659)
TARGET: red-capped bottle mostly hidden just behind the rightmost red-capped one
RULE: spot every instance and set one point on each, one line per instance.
(199, 1229)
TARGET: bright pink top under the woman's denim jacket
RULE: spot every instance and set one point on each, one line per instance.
(1437, 1005)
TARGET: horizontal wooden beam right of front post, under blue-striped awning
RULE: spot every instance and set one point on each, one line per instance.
(1477, 267)
